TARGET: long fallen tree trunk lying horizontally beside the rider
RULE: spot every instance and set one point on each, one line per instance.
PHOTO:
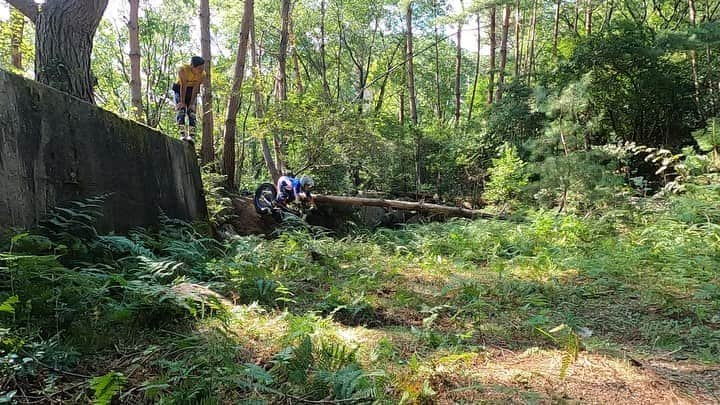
(403, 205)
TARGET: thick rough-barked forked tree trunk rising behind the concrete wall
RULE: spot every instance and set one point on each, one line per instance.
(64, 32)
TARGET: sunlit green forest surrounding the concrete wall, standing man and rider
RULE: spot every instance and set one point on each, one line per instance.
(583, 136)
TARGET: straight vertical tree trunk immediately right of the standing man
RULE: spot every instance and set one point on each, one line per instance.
(207, 148)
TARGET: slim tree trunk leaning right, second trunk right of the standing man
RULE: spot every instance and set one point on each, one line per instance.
(234, 98)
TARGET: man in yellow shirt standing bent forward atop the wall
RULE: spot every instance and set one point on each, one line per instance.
(186, 90)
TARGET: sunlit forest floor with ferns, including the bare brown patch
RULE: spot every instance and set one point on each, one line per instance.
(622, 307)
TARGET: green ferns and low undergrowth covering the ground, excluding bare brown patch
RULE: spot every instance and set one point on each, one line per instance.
(172, 316)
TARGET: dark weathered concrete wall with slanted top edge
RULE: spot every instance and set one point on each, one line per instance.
(55, 148)
